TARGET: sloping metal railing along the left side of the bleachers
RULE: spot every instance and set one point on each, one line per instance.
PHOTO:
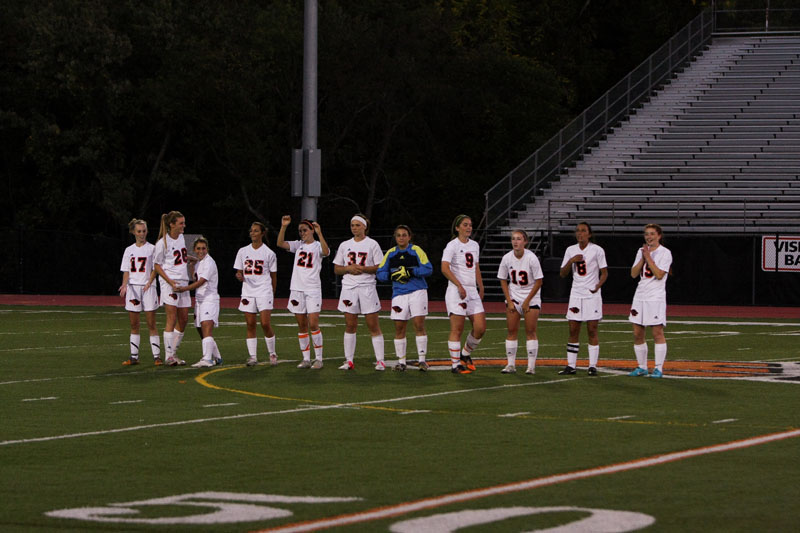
(550, 160)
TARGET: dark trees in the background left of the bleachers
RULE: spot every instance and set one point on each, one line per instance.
(114, 109)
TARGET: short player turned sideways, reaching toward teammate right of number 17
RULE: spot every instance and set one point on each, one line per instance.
(206, 309)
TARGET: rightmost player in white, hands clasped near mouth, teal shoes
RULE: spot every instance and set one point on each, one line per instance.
(649, 308)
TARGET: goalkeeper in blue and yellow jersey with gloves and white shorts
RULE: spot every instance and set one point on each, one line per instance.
(406, 266)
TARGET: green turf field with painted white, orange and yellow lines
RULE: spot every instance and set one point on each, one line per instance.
(89, 445)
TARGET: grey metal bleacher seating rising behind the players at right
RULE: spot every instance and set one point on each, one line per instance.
(716, 151)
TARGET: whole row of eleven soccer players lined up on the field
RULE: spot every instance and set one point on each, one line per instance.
(361, 263)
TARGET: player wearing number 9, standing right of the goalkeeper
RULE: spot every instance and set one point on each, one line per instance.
(460, 265)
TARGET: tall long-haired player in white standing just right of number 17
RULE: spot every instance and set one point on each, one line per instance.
(171, 263)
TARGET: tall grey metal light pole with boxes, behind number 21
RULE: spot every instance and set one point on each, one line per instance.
(307, 161)
